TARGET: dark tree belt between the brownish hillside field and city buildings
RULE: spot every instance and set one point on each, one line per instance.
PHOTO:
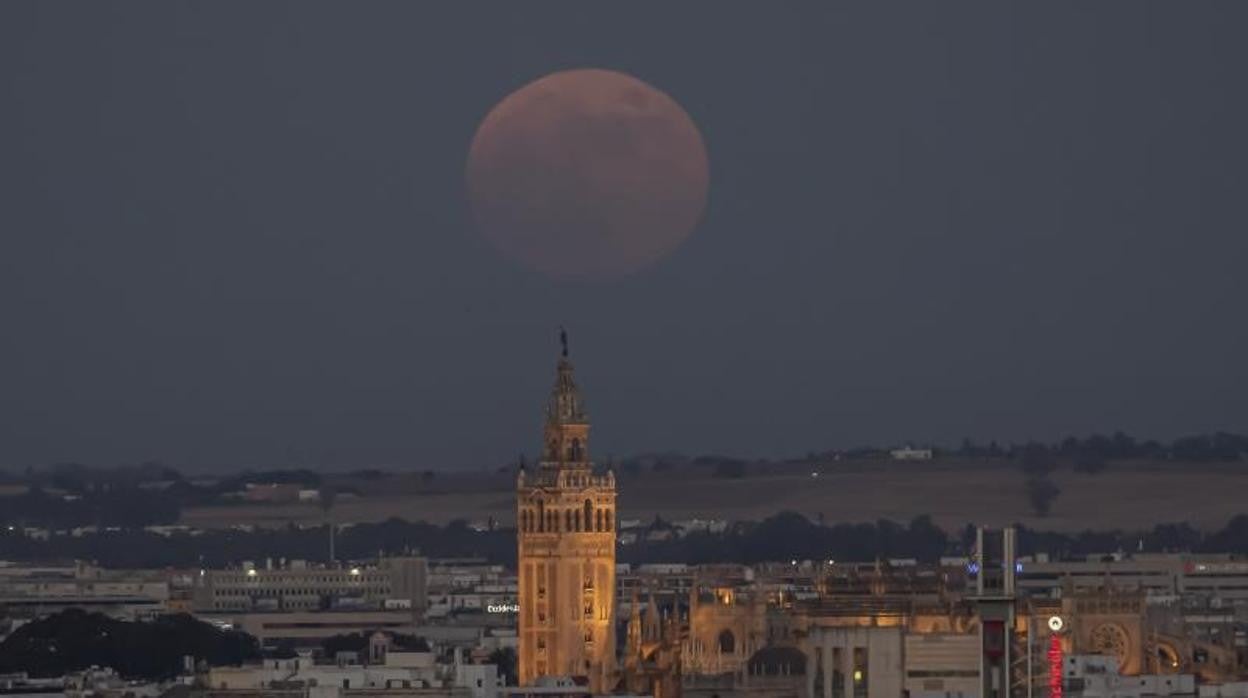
(783, 538)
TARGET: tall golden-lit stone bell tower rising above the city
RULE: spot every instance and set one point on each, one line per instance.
(566, 524)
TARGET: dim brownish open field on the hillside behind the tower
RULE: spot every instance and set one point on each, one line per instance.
(1124, 496)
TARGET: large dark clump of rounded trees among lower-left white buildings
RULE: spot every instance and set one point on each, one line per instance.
(77, 640)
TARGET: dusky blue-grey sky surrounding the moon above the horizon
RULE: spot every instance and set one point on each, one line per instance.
(235, 234)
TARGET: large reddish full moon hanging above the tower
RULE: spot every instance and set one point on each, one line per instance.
(587, 175)
